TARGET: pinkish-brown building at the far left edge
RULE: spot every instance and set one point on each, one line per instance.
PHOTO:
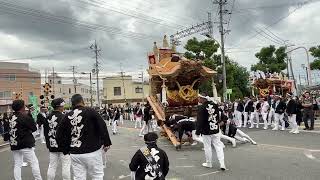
(18, 80)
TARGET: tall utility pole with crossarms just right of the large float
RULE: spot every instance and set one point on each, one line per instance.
(221, 4)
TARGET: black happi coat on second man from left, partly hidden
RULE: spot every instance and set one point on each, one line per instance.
(50, 128)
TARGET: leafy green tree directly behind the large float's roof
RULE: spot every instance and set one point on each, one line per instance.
(237, 76)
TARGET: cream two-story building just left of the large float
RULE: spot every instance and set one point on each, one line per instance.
(123, 89)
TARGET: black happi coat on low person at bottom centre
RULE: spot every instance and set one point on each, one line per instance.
(142, 167)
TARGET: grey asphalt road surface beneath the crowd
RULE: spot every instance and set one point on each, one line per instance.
(278, 155)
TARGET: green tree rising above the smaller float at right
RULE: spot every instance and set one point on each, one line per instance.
(271, 59)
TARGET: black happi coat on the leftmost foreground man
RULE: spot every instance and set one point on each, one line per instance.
(21, 127)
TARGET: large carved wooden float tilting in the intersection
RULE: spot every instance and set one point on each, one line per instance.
(174, 82)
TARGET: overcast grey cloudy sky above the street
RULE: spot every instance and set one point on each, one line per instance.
(125, 30)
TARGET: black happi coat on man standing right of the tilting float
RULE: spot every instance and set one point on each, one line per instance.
(207, 125)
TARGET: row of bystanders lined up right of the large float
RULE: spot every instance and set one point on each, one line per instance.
(275, 111)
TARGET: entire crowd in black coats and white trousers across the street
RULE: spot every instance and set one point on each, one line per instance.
(79, 138)
